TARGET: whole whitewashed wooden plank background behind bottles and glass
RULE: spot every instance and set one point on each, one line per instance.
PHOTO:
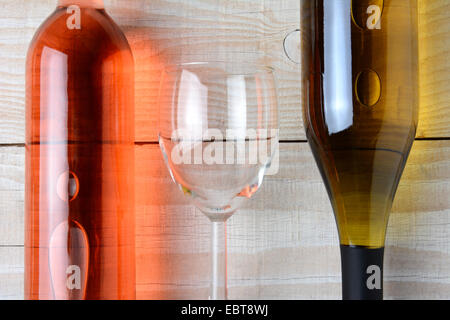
(283, 244)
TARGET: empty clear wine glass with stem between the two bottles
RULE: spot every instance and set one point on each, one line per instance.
(218, 135)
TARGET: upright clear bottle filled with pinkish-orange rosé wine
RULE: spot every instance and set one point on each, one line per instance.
(79, 202)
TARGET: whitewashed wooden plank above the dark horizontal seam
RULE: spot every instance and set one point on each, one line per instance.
(169, 31)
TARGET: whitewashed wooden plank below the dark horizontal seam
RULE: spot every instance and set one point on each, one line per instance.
(283, 243)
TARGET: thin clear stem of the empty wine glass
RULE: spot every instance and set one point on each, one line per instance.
(219, 261)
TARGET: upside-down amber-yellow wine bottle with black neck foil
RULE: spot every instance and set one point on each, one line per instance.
(359, 62)
